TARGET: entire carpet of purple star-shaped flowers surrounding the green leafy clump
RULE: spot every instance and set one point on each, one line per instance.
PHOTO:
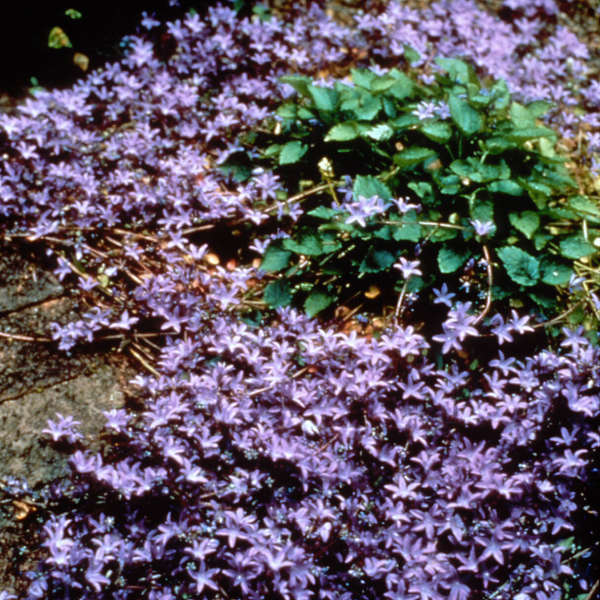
(277, 457)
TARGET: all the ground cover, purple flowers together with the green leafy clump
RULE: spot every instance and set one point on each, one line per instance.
(276, 455)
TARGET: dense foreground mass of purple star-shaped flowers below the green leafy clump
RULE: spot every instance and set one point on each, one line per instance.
(294, 460)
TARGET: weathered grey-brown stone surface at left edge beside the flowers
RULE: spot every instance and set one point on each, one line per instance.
(36, 382)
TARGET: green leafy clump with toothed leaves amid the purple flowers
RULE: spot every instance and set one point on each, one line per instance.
(456, 171)
